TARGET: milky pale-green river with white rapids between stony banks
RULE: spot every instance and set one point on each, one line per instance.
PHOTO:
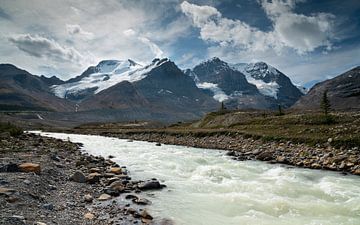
(207, 187)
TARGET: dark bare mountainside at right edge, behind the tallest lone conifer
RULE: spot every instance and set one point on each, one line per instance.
(343, 92)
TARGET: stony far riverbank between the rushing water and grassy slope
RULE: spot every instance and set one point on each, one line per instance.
(241, 148)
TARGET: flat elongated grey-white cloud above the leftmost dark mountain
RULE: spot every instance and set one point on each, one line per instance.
(42, 47)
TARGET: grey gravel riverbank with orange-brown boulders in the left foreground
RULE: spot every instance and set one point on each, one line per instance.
(49, 181)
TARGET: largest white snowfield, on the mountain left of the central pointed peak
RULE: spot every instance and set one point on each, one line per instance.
(108, 73)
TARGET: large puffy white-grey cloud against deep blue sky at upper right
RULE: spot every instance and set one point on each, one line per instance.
(290, 30)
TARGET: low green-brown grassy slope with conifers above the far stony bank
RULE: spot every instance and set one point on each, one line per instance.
(310, 128)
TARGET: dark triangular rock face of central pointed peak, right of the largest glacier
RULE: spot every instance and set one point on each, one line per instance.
(168, 89)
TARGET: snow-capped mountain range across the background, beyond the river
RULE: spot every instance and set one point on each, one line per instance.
(116, 90)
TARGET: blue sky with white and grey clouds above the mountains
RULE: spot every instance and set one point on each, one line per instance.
(305, 39)
